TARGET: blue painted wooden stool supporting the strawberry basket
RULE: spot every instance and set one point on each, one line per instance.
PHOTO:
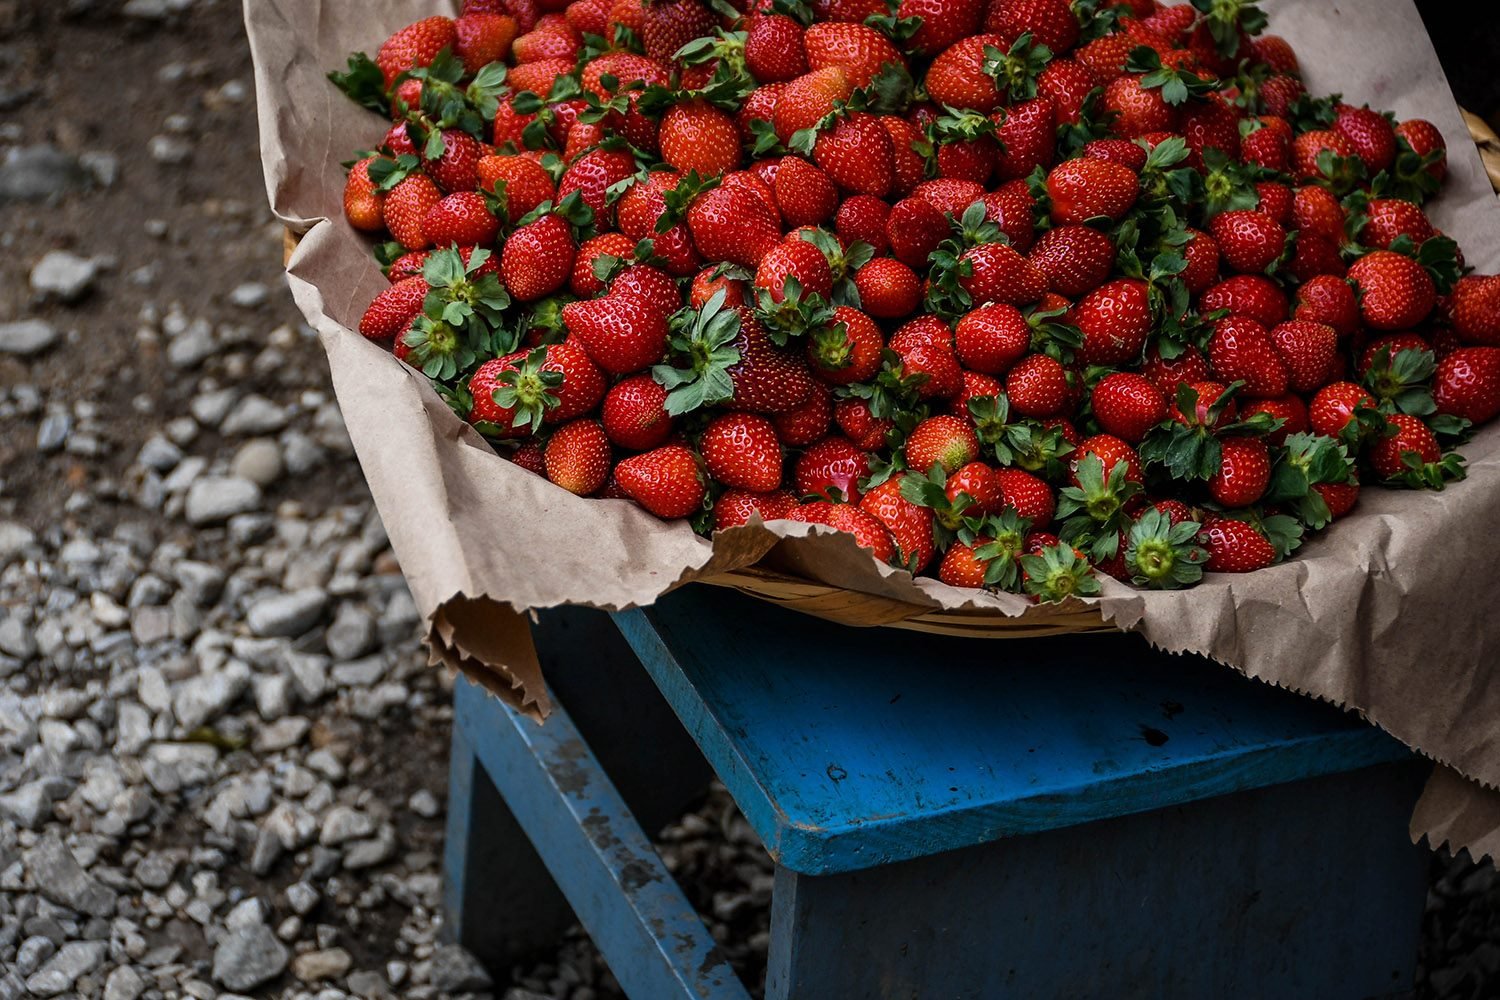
(1057, 818)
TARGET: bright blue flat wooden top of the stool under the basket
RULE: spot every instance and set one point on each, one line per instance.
(850, 749)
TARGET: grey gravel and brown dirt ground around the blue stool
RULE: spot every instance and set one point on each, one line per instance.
(218, 737)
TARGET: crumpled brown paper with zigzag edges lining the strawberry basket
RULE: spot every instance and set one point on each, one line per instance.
(1388, 614)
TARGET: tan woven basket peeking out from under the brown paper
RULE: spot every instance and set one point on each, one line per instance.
(854, 608)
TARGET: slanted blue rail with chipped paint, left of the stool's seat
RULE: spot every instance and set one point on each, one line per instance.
(601, 860)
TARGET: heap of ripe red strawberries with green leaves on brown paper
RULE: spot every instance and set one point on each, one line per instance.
(1010, 290)
